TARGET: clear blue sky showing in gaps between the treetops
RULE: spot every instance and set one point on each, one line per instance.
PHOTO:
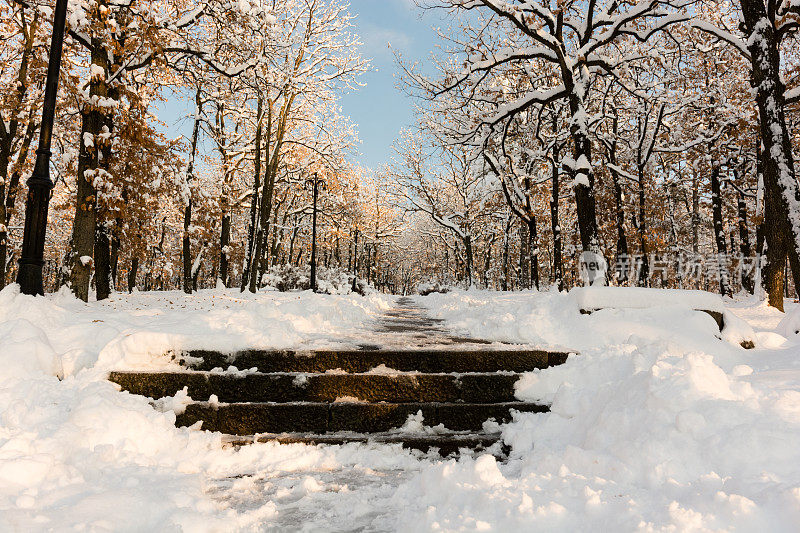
(380, 109)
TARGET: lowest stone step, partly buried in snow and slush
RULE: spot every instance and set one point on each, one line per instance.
(445, 444)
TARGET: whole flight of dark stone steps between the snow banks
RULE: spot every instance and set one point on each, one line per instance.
(338, 396)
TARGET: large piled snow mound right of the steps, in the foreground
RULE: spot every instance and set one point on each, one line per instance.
(639, 439)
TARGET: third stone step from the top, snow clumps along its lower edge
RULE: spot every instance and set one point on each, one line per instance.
(316, 417)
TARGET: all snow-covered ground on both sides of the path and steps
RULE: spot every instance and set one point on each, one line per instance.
(657, 425)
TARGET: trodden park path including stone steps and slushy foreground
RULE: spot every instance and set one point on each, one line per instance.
(373, 387)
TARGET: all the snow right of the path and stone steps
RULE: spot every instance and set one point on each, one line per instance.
(657, 425)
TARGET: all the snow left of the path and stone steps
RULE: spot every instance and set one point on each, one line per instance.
(77, 454)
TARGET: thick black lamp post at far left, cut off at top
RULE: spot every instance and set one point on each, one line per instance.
(29, 276)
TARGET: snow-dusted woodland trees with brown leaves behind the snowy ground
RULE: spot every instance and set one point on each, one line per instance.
(657, 135)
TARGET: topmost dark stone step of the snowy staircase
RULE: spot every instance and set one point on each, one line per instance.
(358, 361)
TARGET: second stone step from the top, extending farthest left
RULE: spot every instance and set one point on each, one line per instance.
(396, 388)
